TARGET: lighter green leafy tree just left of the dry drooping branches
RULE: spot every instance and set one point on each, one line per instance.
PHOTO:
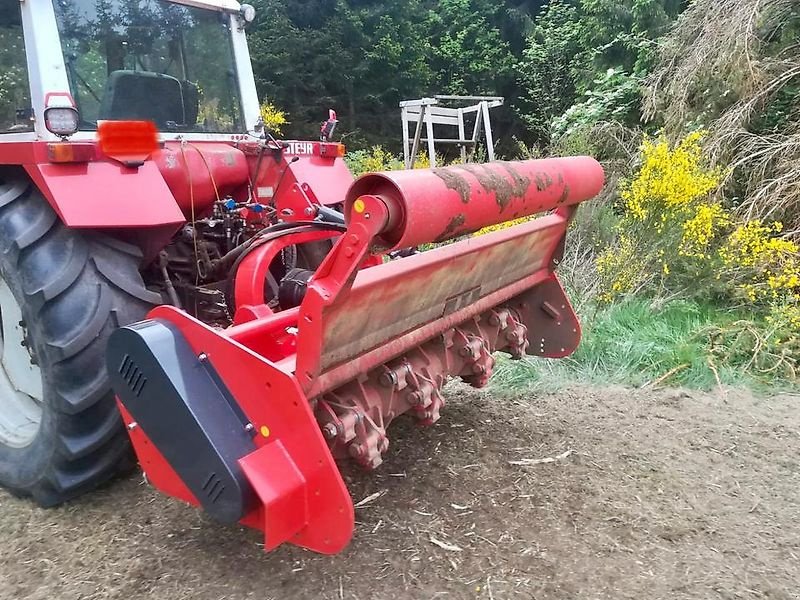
(590, 54)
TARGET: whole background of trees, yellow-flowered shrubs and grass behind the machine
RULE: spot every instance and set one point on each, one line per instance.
(687, 270)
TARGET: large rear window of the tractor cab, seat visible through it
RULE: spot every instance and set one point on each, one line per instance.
(151, 60)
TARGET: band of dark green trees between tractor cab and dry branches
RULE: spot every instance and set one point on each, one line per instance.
(362, 57)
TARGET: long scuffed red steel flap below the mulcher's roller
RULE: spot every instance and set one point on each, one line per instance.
(394, 308)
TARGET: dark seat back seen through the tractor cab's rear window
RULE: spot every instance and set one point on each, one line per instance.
(146, 96)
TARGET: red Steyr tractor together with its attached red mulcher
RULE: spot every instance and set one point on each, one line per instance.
(231, 307)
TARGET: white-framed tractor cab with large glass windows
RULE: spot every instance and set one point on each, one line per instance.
(182, 64)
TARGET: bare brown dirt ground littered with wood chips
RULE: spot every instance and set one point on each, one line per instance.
(658, 494)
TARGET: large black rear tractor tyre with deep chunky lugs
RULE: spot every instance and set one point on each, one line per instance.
(72, 288)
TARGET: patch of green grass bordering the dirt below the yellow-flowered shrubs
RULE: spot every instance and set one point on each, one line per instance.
(636, 343)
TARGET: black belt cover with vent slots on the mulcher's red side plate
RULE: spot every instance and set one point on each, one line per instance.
(184, 408)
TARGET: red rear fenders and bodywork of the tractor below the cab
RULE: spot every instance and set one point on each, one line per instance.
(159, 190)
